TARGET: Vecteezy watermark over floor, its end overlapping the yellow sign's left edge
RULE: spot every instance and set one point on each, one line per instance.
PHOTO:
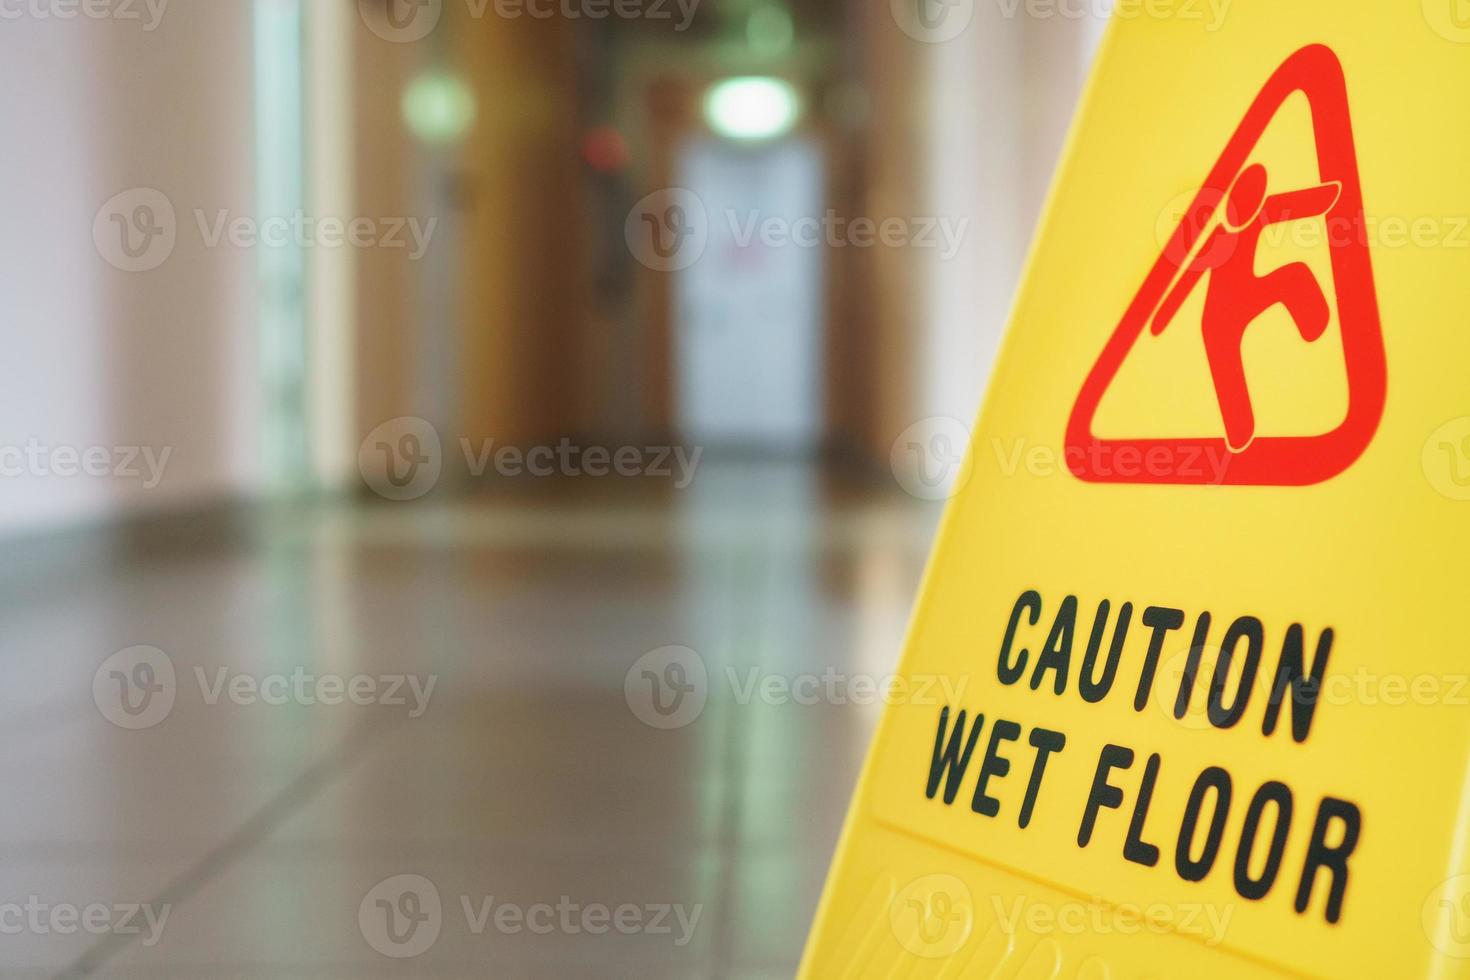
(668, 688)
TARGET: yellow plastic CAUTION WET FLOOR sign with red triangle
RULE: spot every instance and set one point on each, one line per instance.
(1200, 608)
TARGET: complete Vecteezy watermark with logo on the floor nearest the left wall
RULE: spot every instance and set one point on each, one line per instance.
(139, 687)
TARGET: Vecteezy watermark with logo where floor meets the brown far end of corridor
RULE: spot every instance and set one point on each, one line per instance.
(404, 459)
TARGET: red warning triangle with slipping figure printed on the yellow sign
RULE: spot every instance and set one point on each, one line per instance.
(1219, 256)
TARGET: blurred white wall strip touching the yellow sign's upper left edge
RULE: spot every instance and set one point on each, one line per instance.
(1000, 101)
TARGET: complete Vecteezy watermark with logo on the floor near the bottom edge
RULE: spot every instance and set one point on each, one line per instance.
(404, 916)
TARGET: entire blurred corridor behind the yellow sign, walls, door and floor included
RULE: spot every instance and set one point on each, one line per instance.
(467, 465)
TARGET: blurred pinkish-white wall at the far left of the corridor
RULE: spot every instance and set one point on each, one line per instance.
(96, 356)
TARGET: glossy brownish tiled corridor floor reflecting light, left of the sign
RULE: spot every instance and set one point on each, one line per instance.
(558, 834)
